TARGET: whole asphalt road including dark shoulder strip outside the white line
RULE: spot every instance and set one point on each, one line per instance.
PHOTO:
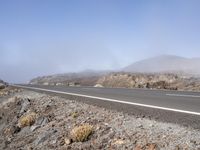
(172, 106)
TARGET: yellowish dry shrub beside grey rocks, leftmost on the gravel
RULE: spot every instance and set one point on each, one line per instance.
(27, 120)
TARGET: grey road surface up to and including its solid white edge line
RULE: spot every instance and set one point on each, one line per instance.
(177, 101)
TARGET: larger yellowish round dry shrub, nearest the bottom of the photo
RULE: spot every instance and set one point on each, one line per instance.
(81, 133)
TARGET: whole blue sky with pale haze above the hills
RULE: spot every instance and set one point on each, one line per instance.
(42, 37)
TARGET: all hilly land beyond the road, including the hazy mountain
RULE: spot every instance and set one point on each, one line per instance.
(162, 72)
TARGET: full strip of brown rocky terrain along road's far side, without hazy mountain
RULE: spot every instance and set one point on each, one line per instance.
(168, 81)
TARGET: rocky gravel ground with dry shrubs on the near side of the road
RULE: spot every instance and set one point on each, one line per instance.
(30, 120)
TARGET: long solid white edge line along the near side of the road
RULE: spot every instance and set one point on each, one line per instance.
(112, 100)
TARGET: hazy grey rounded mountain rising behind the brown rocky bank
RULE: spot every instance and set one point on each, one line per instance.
(167, 64)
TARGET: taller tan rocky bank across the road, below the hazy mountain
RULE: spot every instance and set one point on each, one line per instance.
(150, 81)
